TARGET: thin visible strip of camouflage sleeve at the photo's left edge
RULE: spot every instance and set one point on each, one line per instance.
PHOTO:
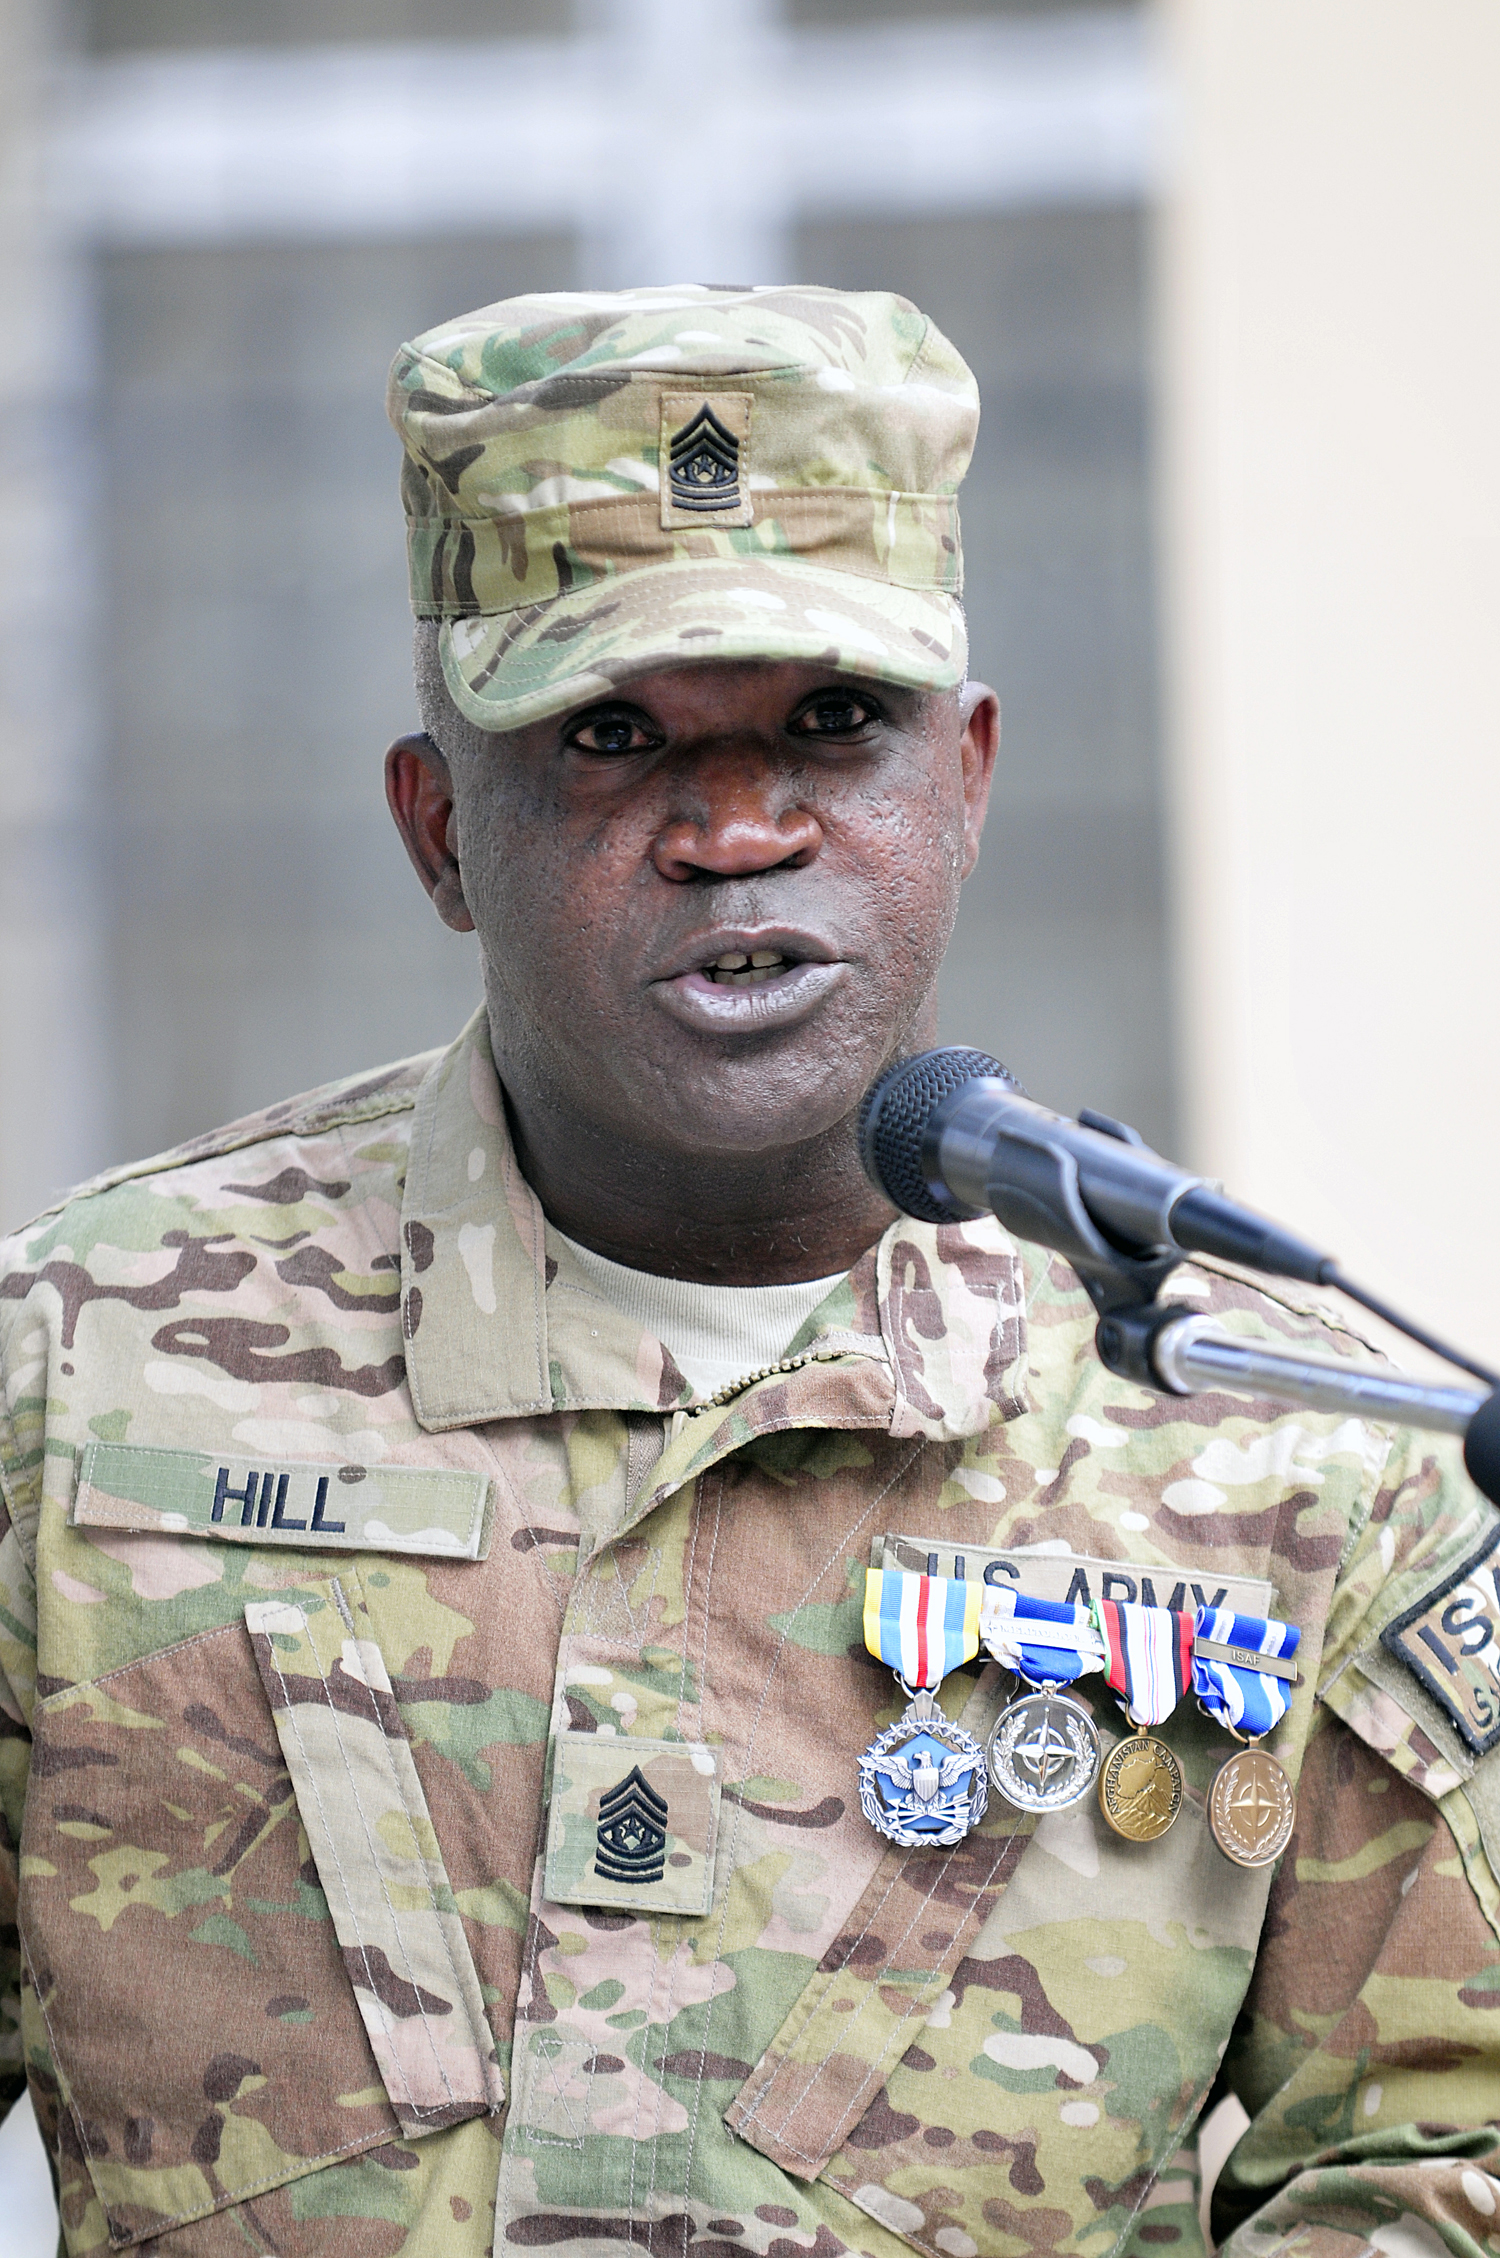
(17, 1699)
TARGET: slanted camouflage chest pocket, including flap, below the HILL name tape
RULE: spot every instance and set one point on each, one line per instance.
(229, 1853)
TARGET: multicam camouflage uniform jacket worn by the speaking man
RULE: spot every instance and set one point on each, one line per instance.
(363, 1568)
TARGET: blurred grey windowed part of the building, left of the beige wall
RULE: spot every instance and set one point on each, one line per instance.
(213, 907)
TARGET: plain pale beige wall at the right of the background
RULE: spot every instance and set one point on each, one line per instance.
(1332, 462)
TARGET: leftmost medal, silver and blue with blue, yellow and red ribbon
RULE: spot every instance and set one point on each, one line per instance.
(923, 1780)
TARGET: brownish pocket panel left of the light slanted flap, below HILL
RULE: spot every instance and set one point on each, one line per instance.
(198, 2013)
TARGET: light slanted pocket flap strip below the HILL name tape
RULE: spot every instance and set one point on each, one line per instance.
(376, 1853)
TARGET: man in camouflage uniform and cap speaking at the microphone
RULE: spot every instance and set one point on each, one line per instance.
(457, 1785)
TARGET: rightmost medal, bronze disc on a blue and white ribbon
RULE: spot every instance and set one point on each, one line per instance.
(1244, 1677)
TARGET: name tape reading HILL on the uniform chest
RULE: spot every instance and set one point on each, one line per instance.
(293, 1503)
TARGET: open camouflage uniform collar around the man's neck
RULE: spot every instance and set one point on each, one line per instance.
(925, 1338)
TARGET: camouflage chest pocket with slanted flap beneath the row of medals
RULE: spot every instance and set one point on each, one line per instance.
(1018, 2031)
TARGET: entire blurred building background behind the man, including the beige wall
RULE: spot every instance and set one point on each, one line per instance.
(1230, 283)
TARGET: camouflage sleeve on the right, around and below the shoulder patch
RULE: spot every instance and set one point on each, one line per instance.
(1368, 2054)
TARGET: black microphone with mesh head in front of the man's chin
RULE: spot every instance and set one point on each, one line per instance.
(950, 1135)
